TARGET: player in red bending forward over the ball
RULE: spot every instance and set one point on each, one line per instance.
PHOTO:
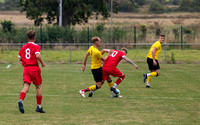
(110, 67)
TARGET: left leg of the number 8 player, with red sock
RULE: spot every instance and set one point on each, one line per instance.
(22, 96)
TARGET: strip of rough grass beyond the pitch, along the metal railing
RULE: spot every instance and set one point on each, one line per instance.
(138, 55)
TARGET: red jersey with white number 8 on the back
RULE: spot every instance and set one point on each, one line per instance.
(28, 54)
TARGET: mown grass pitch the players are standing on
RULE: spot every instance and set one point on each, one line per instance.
(173, 99)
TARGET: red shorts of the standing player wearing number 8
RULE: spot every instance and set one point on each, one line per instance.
(32, 73)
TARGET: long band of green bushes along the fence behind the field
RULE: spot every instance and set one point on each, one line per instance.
(56, 34)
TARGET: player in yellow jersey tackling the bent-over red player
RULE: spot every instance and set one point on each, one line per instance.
(96, 69)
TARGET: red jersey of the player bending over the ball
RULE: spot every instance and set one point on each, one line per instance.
(114, 59)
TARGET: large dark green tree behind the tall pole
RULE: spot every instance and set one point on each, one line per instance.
(74, 11)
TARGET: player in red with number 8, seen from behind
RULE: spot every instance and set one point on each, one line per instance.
(29, 55)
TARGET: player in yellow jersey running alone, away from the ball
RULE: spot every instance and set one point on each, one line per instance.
(152, 60)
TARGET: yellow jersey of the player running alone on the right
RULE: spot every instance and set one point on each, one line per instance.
(158, 47)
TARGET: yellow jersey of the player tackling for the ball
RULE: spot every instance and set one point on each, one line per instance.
(95, 57)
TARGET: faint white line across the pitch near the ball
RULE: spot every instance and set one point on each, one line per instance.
(134, 97)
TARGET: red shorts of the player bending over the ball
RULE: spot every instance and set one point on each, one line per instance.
(107, 71)
